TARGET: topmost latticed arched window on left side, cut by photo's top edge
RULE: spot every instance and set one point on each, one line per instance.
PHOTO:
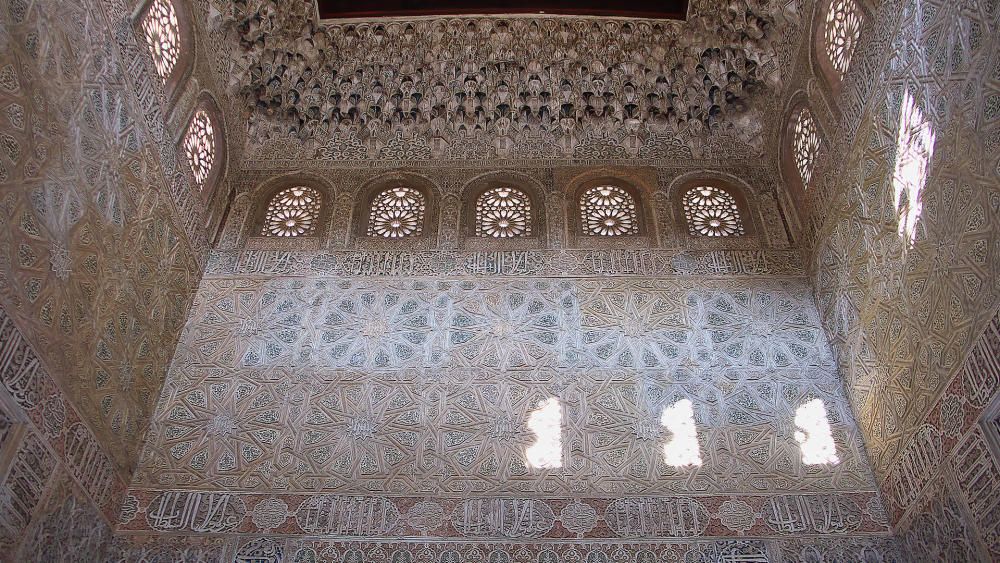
(165, 27)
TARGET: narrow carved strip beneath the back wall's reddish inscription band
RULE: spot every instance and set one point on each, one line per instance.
(275, 548)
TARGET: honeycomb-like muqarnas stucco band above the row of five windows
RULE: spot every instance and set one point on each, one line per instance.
(509, 87)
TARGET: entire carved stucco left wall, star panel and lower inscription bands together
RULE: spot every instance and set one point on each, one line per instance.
(101, 246)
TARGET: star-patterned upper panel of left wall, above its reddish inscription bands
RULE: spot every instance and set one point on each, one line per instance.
(93, 265)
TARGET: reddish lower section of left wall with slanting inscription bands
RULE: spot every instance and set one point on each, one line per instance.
(48, 456)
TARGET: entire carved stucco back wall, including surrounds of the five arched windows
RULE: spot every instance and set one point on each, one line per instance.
(332, 392)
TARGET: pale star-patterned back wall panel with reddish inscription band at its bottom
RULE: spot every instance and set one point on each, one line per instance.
(417, 400)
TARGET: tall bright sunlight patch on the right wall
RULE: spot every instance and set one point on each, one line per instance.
(914, 149)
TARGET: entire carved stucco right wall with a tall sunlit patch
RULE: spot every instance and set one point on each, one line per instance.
(907, 321)
